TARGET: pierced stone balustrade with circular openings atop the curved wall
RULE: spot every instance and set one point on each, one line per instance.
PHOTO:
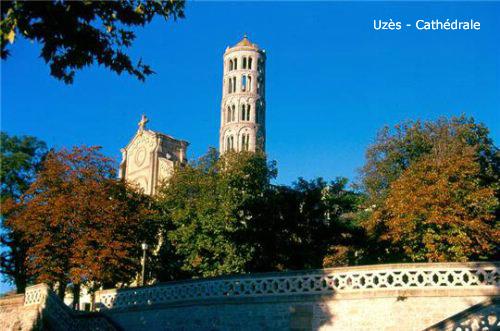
(325, 281)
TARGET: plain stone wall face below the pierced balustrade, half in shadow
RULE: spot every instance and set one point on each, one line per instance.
(414, 313)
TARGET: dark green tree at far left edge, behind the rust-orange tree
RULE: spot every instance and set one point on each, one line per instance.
(20, 158)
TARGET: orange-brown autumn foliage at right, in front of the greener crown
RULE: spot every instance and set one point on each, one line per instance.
(437, 211)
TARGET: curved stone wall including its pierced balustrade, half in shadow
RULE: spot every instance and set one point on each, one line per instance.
(383, 297)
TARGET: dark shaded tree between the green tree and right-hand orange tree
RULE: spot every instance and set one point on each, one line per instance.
(302, 226)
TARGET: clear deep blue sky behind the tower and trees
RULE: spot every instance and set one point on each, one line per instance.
(332, 81)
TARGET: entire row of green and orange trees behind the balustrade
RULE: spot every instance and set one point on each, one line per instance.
(431, 193)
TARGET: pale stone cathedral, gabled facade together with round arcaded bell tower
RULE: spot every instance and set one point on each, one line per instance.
(150, 157)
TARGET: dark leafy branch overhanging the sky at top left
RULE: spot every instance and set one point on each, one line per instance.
(76, 34)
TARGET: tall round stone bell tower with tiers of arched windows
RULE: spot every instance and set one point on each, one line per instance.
(243, 107)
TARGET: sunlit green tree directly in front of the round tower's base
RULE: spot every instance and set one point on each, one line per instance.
(206, 206)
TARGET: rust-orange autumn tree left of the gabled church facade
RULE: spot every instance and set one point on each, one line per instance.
(83, 226)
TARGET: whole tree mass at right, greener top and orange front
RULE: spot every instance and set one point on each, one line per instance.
(433, 192)
